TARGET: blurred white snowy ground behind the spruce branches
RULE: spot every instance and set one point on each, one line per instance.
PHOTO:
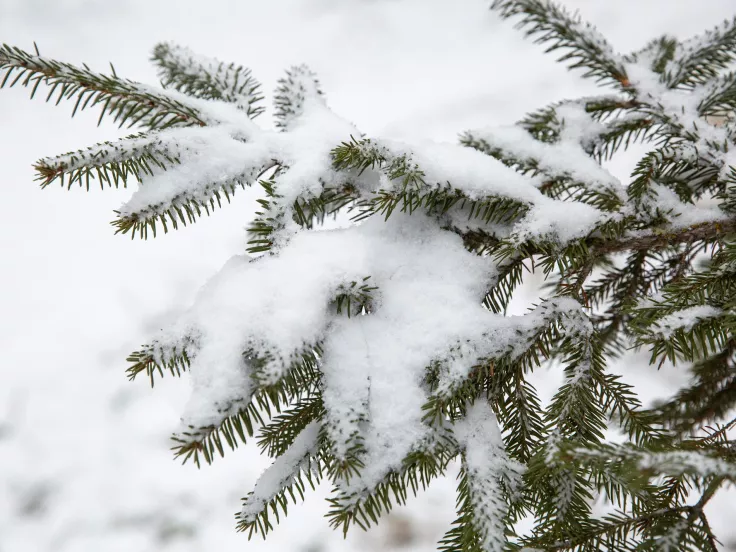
(84, 454)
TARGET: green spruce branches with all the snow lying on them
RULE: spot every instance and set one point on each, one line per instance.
(649, 263)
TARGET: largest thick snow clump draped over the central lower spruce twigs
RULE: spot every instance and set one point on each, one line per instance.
(281, 304)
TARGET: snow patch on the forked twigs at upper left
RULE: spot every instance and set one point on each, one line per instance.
(236, 152)
